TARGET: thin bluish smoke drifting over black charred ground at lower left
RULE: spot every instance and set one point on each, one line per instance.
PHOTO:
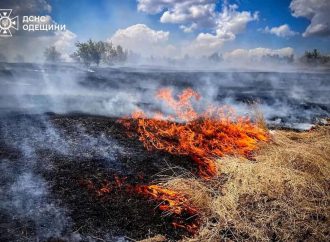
(26, 201)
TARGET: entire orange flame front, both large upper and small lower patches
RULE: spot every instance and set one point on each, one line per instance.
(203, 136)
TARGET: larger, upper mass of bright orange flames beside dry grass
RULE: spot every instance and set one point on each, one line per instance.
(216, 132)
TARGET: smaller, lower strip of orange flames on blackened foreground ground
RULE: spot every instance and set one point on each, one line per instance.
(172, 203)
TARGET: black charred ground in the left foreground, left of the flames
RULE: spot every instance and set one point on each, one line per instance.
(119, 214)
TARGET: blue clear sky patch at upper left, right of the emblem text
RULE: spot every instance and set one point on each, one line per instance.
(102, 18)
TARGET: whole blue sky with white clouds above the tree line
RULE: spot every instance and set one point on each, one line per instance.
(179, 27)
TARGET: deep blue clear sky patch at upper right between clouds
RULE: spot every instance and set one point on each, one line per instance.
(276, 13)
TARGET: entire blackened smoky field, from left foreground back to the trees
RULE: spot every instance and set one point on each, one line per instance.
(45, 158)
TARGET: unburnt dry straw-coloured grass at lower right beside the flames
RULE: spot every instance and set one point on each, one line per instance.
(281, 196)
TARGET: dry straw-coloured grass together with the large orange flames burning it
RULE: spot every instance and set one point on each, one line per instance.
(282, 195)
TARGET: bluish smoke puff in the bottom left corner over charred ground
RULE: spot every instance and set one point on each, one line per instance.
(26, 205)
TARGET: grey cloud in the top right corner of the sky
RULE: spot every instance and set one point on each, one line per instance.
(317, 11)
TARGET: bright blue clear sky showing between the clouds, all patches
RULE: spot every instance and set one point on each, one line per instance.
(100, 19)
